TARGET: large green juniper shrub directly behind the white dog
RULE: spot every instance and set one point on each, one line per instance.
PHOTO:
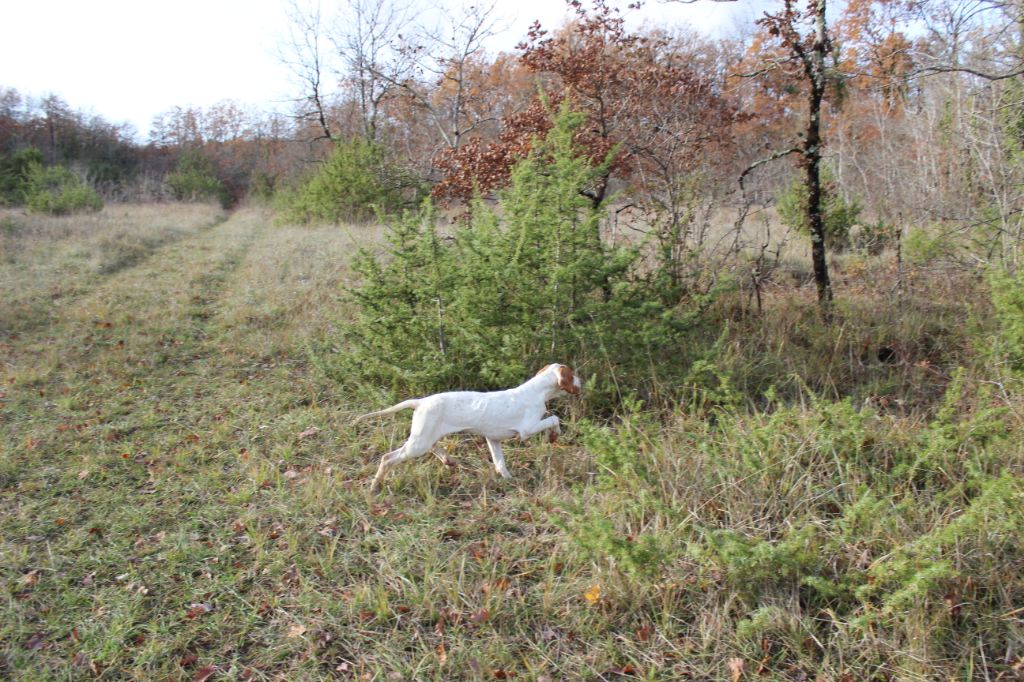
(525, 284)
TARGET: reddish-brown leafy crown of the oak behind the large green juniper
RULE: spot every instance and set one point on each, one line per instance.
(642, 100)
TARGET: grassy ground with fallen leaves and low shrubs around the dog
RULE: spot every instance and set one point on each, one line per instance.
(183, 495)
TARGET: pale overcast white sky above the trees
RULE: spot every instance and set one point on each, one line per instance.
(129, 61)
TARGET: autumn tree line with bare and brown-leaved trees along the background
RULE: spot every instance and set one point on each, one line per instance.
(911, 112)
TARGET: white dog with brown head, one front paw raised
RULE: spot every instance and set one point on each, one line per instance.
(497, 416)
